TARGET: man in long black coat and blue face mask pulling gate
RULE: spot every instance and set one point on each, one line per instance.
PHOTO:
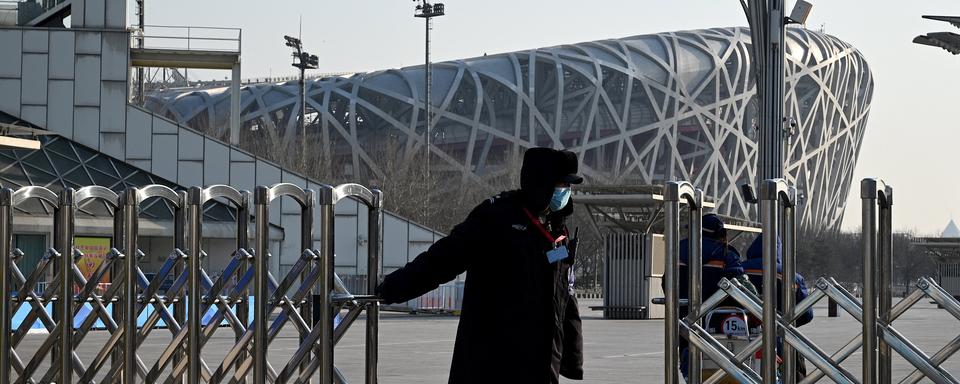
(519, 321)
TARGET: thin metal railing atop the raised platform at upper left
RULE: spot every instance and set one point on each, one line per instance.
(187, 38)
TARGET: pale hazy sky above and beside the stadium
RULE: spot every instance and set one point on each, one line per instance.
(911, 138)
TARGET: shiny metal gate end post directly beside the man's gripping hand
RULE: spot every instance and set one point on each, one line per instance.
(374, 218)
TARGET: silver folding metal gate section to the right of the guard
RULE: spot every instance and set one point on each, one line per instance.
(878, 339)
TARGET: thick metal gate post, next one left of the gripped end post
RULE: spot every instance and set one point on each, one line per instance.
(326, 201)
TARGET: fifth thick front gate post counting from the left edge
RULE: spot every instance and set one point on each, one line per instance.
(261, 201)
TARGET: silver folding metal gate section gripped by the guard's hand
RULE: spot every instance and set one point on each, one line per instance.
(191, 295)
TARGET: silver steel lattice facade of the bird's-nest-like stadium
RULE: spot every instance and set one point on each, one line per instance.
(638, 110)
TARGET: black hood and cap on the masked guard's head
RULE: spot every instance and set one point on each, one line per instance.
(542, 169)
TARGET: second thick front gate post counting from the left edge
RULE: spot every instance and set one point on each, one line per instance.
(65, 241)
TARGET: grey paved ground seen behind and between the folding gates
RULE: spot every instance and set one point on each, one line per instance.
(417, 349)
